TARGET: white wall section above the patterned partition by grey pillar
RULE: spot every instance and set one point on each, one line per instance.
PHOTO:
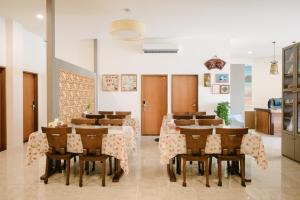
(77, 52)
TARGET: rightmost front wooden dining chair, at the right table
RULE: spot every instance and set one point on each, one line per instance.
(231, 140)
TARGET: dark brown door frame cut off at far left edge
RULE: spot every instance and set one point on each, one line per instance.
(3, 109)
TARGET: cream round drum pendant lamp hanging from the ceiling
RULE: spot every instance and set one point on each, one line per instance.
(127, 29)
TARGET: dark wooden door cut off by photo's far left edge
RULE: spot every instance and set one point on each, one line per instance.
(2, 111)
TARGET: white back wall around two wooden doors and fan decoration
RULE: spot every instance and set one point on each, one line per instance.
(117, 57)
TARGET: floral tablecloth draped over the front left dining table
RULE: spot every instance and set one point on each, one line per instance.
(117, 143)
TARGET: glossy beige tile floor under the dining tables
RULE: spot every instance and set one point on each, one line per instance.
(148, 179)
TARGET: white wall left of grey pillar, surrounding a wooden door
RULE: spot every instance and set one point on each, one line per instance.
(24, 52)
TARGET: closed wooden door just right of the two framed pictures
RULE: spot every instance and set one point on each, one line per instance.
(153, 103)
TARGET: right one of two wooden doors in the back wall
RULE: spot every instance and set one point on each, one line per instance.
(184, 93)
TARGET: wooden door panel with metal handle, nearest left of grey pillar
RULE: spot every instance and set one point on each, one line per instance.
(30, 112)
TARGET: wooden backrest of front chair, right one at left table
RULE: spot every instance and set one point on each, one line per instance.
(91, 140)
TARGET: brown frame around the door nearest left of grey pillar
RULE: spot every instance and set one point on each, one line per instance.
(36, 123)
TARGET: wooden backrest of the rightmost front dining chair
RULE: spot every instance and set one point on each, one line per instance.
(231, 139)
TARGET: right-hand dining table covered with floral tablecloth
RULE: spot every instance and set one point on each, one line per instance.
(172, 143)
